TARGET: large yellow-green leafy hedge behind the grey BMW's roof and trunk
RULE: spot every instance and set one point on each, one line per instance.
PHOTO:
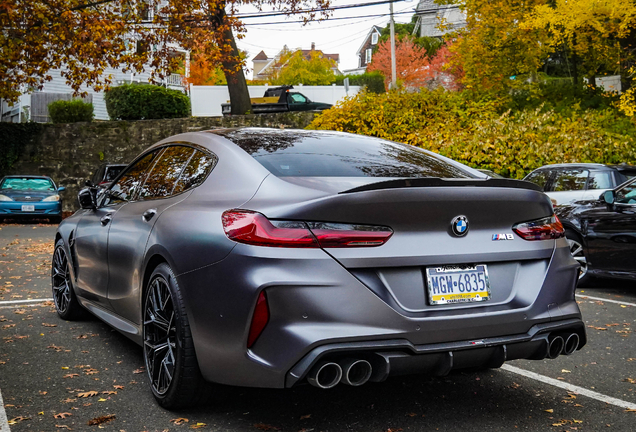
(480, 132)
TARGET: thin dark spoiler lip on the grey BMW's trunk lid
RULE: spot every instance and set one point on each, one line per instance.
(439, 182)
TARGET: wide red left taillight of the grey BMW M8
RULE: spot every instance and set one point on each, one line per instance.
(245, 226)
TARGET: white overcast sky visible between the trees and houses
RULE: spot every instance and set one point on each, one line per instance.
(340, 36)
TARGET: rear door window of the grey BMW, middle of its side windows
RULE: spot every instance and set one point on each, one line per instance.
(166, 172)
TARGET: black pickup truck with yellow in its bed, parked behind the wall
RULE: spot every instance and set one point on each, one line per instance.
(280, 99)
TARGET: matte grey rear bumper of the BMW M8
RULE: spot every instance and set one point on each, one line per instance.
(318, 308)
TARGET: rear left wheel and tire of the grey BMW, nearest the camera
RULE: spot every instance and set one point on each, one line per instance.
(171, 362)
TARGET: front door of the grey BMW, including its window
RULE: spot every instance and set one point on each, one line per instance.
(91, 234)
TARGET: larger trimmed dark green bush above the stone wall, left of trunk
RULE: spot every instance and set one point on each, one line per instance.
(145, 101)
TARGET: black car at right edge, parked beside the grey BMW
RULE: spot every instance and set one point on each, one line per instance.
(602, 233)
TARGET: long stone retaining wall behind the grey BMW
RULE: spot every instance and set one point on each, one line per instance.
(70, 153)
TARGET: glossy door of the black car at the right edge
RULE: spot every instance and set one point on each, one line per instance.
(611, 233)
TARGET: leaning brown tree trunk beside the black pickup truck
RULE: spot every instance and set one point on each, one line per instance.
(236, 84)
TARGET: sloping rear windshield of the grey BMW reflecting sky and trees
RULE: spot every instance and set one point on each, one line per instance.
(293, 153)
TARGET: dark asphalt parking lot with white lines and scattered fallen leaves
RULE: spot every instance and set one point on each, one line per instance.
(57, 375)
